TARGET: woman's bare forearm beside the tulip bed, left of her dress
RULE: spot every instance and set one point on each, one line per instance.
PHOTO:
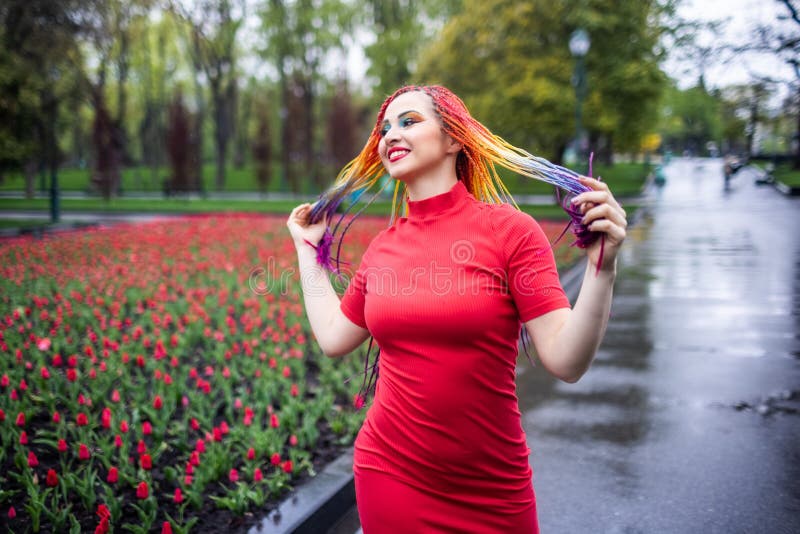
(320, 299)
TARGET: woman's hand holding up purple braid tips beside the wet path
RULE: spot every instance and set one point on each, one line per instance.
(602, 213)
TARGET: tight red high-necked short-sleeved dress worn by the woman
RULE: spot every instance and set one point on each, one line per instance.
(443, 291)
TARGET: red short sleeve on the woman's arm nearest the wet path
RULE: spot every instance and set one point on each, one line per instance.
(530, 265)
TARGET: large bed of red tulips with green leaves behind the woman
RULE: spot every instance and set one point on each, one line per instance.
(157, 375)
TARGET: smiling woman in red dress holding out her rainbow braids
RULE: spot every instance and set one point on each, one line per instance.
(443, 291)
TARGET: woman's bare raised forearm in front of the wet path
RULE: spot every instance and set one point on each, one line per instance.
(574, 347)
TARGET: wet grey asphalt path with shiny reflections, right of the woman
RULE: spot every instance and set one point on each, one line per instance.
(688, 421)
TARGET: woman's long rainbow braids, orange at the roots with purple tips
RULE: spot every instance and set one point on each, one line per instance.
(475, 167)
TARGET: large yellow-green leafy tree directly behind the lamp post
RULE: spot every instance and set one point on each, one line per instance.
(515, 73)
